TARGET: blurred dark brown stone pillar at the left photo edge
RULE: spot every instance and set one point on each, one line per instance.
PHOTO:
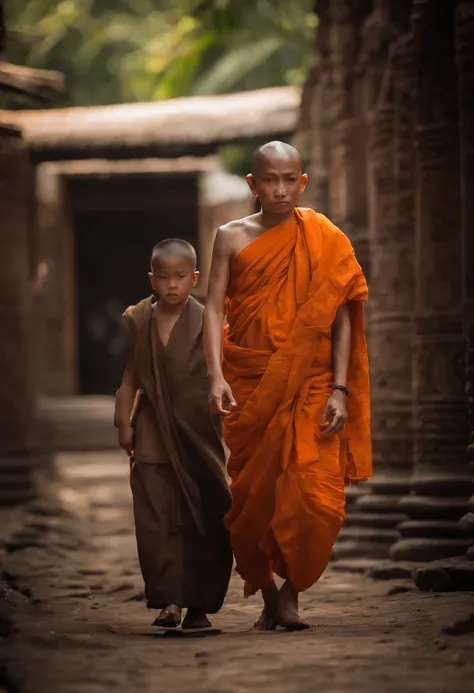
(16, 395)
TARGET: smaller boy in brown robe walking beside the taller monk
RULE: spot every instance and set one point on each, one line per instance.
(180, 492)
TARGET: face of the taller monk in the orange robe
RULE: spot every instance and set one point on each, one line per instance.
(278, 183)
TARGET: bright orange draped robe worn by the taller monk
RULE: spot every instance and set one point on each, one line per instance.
(287, 481)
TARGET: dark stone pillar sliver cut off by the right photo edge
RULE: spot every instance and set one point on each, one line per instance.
(465, 67)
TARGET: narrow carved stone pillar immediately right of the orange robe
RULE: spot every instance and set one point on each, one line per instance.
(376, 513)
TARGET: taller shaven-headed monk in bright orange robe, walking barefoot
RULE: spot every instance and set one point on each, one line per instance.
(291, 378)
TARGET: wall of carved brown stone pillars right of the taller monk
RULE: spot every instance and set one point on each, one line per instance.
(386, 128)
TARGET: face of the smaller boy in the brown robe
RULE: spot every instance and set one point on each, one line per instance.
(173, 277)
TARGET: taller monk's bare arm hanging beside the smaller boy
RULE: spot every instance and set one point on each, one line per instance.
(213, 323)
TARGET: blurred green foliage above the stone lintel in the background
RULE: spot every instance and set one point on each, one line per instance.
(133, 50)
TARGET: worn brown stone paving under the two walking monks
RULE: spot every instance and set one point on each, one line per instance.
(73, 618)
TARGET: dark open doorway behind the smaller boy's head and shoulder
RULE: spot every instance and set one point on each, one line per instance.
(117, 221)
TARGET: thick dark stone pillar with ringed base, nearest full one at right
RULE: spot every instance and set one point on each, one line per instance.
(441, 483)
